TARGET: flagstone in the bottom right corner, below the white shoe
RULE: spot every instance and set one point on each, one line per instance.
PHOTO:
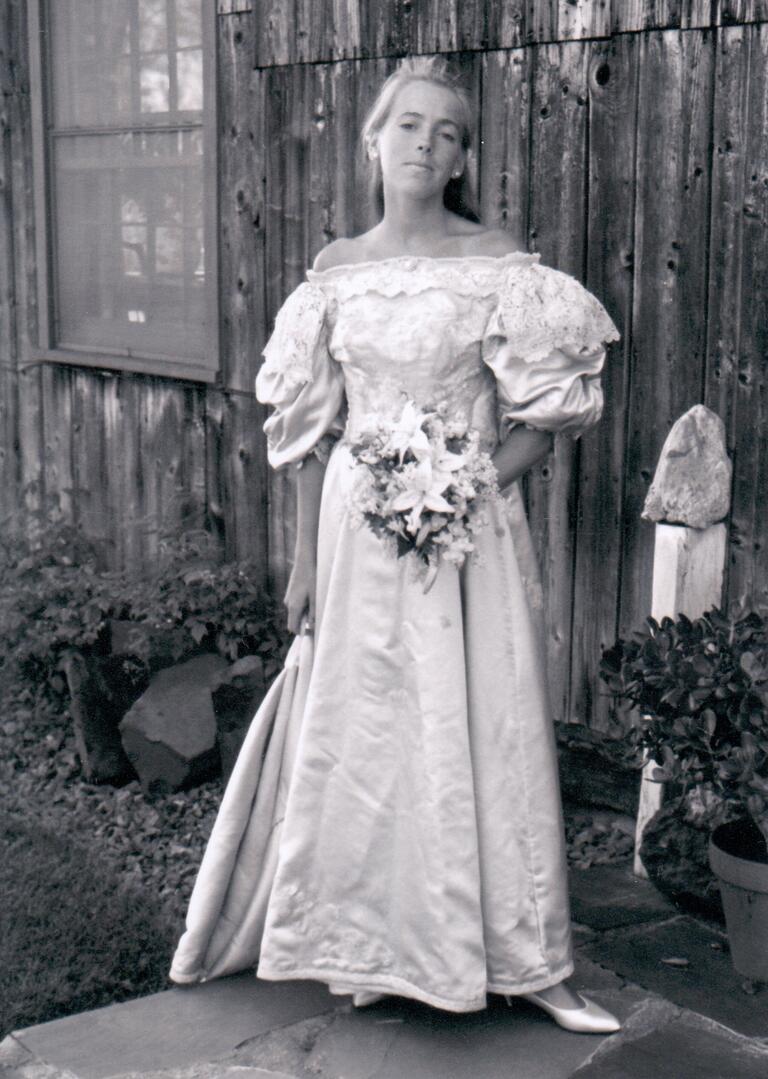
(685, 1049)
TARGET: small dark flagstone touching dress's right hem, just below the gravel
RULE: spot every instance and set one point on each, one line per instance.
(607, 897)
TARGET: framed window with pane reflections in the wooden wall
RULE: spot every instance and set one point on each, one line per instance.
(125, 141)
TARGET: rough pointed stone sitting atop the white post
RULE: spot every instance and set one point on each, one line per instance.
(692, 485)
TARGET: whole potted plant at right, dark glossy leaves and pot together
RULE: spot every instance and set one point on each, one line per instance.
(702, 688)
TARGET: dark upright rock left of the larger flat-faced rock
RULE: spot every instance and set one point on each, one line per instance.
(102, 690)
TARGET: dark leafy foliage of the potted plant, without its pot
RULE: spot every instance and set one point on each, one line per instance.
(702, 688)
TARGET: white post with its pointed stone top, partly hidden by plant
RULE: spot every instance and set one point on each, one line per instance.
(692, 486)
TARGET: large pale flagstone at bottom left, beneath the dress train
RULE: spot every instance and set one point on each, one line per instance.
(174, 1029)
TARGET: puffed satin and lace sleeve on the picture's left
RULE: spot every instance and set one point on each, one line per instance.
(301, 381)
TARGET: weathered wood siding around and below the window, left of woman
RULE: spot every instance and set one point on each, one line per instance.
(132, 458)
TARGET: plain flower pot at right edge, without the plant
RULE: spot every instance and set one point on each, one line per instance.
(739, 861)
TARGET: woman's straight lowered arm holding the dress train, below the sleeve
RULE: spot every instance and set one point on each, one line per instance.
(300, 595)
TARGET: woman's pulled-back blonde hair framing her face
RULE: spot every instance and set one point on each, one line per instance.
(459, 196)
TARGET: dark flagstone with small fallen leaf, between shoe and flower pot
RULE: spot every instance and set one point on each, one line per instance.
(708, 986)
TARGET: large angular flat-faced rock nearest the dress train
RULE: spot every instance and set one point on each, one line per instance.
(170, 734)
